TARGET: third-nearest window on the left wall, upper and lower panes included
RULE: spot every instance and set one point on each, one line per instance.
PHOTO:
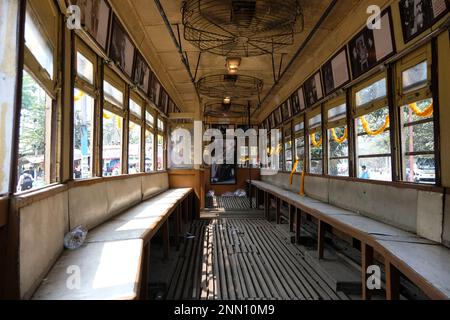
(113, 117)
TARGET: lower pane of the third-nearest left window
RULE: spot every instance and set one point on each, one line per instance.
(112, 144)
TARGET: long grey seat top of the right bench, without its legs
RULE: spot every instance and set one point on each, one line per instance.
(423, 261)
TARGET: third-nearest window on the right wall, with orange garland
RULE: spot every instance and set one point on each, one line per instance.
(337, 132)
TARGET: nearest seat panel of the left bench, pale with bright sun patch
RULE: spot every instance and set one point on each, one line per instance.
(107, 270)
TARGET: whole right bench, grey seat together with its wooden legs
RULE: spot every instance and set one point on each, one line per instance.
(422, 261)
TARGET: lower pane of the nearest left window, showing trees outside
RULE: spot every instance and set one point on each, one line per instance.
(34, 136)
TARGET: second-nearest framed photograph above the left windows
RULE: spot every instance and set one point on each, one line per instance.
(121, 49)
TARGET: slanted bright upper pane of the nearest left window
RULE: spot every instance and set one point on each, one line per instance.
(38, 45)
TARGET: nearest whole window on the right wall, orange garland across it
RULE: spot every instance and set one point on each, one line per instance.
(417, 117)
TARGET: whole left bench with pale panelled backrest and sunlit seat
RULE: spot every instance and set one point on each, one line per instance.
(122, 215)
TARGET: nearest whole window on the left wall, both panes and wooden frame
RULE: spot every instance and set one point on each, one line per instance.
(38, 125)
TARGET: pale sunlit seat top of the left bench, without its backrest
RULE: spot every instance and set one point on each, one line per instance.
(110, 260)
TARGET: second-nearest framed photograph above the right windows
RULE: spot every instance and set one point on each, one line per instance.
(370, 47)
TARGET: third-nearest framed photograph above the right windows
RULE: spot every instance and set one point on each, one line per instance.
(336, 73)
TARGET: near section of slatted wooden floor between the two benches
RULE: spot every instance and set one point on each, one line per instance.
(245, 258)
